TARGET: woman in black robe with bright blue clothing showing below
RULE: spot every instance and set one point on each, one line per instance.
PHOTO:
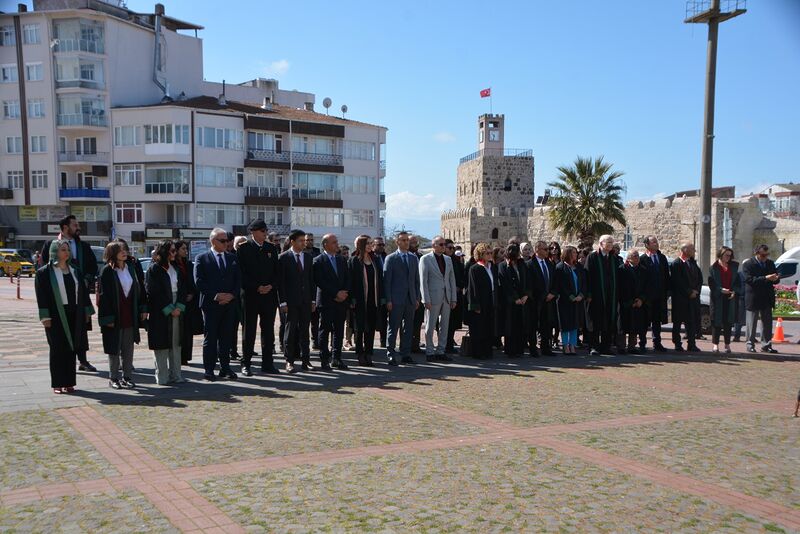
(567, 284)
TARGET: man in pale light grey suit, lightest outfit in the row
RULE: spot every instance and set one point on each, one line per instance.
(439, 294)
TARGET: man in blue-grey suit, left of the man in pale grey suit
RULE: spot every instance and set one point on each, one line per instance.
(401, 287)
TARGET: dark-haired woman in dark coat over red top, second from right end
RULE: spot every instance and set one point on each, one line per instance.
(724, 285)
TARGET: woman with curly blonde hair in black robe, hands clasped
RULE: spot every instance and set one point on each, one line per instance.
(481, 302)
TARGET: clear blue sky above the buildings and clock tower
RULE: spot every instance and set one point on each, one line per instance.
(622, 78)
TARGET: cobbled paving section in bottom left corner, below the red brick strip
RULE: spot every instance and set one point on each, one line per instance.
(128, 512)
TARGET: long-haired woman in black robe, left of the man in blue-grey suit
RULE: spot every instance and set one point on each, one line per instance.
(366, 297)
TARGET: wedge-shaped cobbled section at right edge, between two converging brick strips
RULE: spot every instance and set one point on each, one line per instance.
(755, 453)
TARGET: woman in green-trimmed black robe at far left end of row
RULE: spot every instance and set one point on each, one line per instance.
(65, 311)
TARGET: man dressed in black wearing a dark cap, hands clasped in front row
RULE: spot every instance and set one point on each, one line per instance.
(258, 260)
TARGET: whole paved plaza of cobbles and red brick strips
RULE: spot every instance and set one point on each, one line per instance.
(689, 443)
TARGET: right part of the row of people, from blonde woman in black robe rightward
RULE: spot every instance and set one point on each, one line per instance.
(521, 297)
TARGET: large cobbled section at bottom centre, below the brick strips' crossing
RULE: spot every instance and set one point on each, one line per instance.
(505, 487)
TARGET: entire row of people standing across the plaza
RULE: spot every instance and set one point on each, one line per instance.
(518, 298)
